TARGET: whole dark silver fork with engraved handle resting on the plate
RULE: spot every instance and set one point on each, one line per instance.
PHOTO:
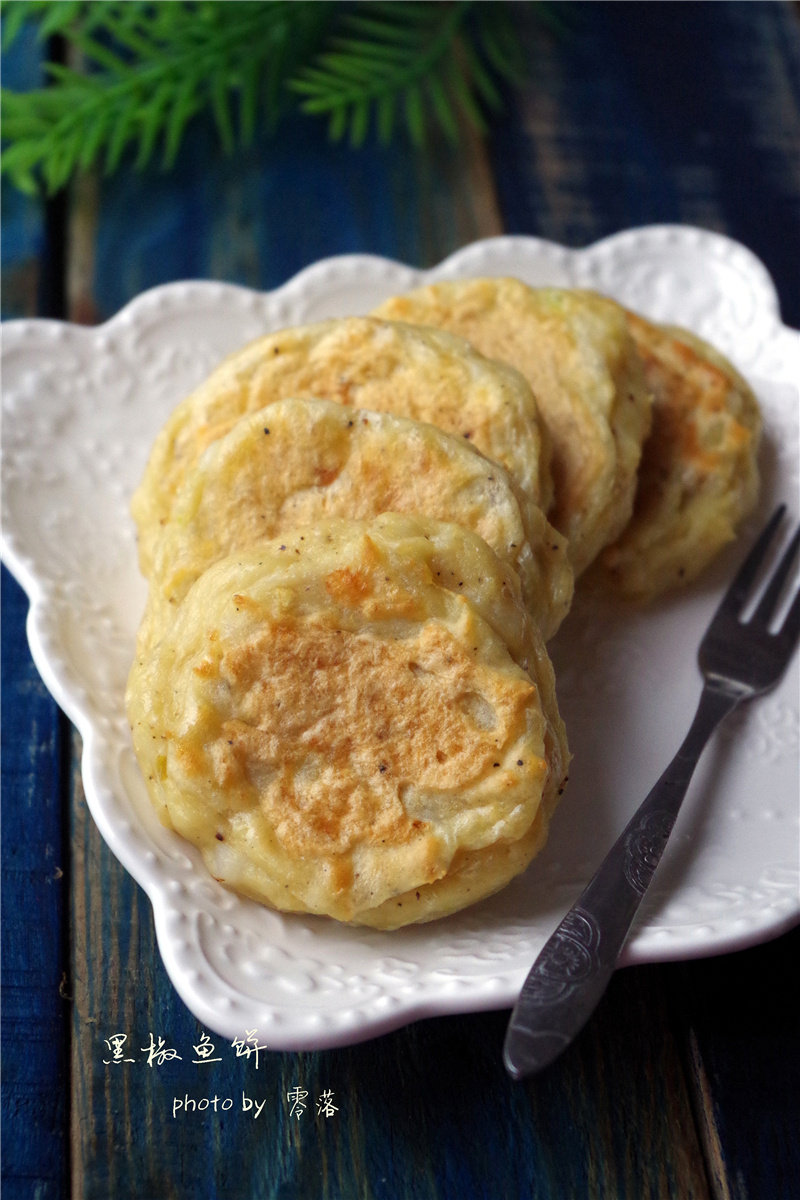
(739, 661)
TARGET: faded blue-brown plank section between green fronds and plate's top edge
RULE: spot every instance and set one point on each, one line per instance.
(260, 219)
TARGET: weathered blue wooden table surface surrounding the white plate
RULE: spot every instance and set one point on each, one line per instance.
(687, 1083)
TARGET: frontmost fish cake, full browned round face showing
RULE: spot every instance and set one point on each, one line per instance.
(340, 735)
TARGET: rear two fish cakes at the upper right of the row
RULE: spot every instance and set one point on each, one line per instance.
(654, 434)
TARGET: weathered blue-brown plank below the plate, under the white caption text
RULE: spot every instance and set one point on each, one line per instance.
(423, 1113)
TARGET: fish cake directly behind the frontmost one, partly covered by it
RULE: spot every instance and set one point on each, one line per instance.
(299, 461)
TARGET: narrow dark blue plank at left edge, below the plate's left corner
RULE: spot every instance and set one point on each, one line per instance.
(35, 878)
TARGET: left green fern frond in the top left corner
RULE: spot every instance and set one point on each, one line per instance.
(151, 70)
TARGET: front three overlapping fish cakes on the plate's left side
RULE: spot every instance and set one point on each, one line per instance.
(341, 694)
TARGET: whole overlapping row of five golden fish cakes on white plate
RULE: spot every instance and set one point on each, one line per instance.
(359, 538)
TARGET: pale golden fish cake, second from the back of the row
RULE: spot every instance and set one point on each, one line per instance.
(575, 350)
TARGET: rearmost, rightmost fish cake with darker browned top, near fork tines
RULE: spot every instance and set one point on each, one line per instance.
(699, 476)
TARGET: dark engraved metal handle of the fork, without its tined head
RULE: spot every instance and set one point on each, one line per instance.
(578, 962)
